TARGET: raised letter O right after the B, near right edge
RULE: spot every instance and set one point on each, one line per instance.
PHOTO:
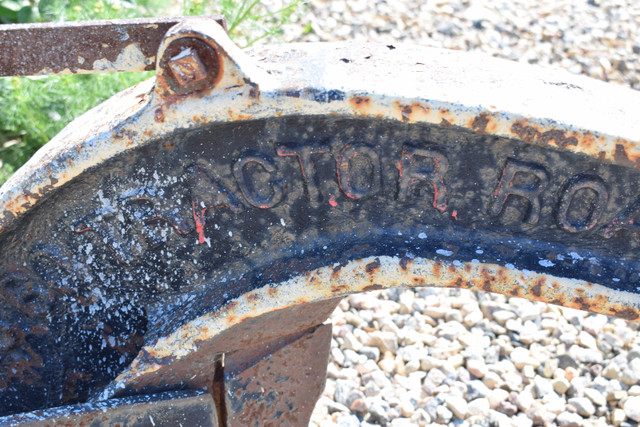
(577, 214)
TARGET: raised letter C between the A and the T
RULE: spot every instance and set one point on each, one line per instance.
(250, 190)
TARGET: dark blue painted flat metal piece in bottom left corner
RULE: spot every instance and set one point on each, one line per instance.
(171, 409)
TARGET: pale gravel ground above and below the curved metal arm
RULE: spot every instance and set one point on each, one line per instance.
(438, 356)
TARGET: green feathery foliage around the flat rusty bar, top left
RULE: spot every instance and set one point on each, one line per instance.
(34, 109)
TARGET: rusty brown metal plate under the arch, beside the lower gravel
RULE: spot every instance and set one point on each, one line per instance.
(280, 388)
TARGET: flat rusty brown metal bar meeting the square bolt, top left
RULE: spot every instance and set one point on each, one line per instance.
(84, 47)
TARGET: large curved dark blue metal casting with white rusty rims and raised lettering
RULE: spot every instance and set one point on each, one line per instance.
(227, 204)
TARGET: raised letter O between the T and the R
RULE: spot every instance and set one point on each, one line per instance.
(359, 171)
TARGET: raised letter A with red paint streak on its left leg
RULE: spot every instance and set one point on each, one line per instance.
(207, 193)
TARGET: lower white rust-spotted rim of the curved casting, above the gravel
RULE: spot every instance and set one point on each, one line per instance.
(360, 276)
